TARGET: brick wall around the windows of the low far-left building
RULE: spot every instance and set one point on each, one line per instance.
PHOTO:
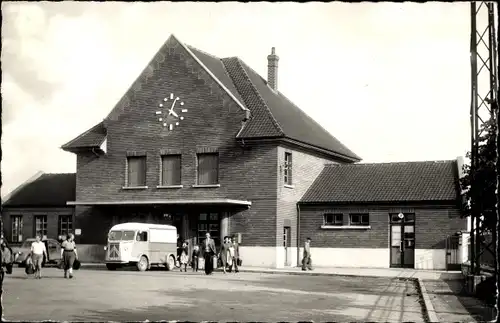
(28, 215)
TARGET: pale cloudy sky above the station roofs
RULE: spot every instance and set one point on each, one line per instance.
(389, 80)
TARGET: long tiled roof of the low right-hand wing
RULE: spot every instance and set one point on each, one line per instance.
(385, 182)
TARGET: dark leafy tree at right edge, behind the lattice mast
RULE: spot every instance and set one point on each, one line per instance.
(484, 178)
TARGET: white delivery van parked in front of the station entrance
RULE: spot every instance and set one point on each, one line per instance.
(141, 244)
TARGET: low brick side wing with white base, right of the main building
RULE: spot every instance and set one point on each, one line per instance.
(382, 215)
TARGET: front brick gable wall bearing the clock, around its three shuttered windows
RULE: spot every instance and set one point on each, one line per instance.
(212, 122)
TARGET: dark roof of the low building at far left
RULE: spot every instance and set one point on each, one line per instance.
(46, 190)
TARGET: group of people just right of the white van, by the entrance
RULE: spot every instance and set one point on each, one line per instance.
(229, 254)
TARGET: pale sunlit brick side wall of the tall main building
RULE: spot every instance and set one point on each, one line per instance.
(305, 168)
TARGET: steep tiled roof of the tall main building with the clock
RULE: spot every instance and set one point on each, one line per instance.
(272, 114)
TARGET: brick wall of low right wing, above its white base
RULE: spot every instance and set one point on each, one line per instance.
(432, 224)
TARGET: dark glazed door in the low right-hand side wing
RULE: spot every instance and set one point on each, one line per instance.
(402, 240)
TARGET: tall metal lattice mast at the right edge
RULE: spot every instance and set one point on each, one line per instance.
(484, 105)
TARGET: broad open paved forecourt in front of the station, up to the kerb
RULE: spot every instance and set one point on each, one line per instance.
(156, 295)
